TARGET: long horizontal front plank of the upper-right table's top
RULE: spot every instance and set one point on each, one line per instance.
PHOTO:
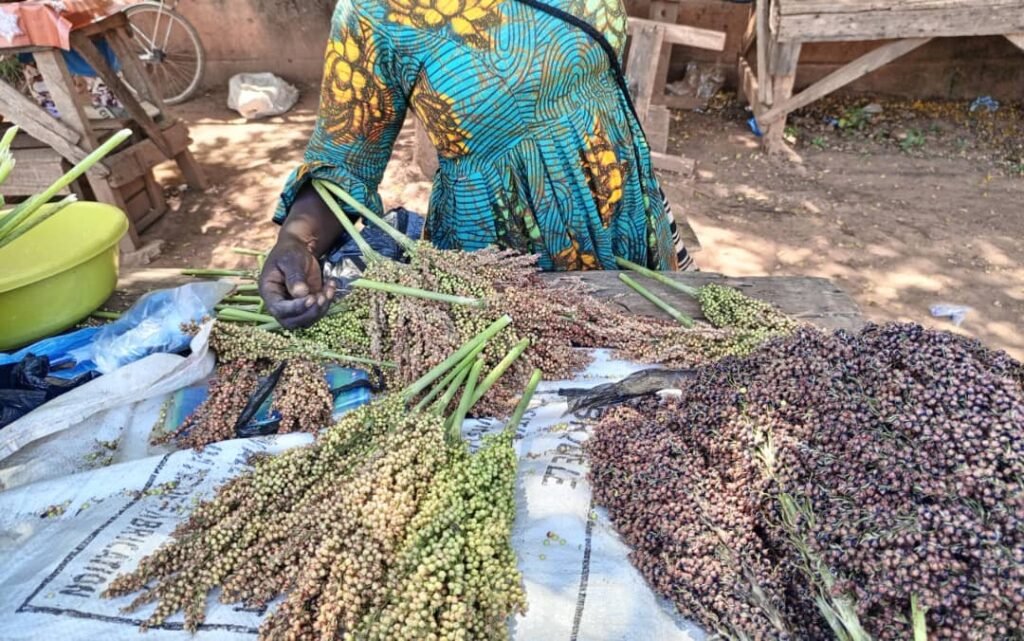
(904, 24)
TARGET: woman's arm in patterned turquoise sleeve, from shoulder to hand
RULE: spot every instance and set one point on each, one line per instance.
(362, 110)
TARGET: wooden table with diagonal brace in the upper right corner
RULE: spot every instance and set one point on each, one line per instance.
(780, 28)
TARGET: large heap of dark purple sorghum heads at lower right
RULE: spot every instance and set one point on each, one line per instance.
(849, 487)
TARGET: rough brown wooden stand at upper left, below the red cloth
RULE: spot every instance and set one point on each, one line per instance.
(48, 146)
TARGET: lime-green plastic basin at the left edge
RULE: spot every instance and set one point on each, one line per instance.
(59, 273)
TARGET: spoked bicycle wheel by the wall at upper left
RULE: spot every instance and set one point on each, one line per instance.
(170, 50)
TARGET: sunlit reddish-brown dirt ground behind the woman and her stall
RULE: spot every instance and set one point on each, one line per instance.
(905, 205)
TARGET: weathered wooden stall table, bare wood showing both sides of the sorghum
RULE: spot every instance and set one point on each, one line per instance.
(818, 302)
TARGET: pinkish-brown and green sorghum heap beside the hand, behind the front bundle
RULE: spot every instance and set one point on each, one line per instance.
(445, 297)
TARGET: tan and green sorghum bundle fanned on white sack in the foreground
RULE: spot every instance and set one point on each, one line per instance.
(387, 528)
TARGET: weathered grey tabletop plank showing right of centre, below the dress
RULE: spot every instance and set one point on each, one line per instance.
(815, 301)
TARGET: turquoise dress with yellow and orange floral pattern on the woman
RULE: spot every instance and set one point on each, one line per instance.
(538, 149)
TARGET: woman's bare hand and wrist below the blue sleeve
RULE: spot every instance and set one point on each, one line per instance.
(292, 283)
